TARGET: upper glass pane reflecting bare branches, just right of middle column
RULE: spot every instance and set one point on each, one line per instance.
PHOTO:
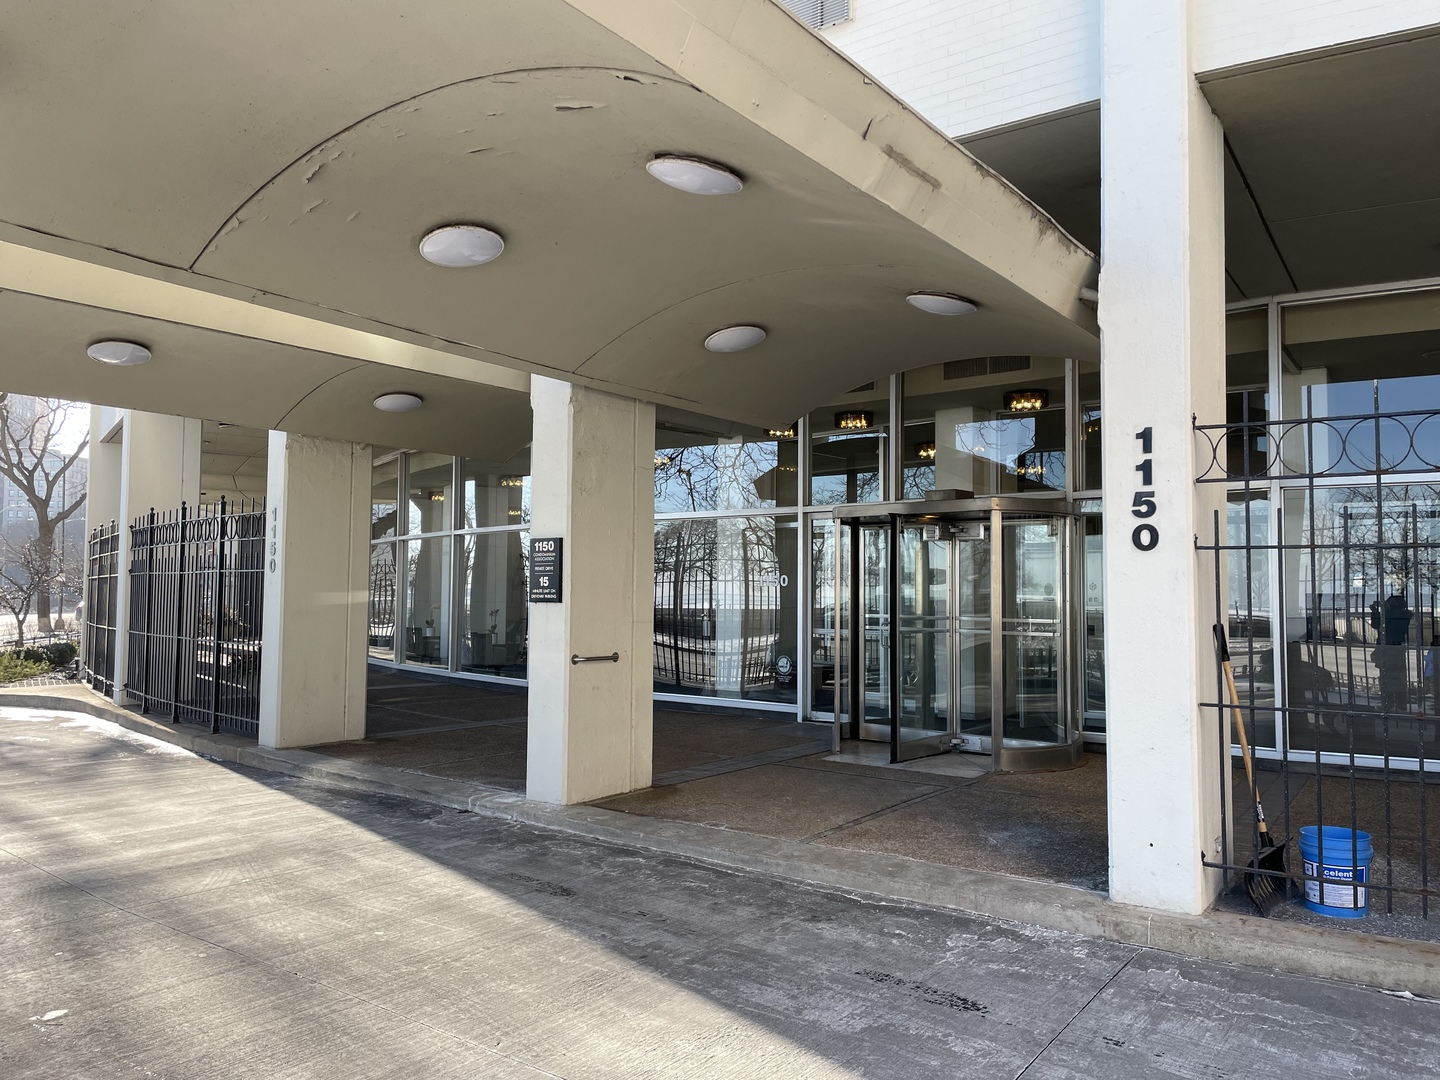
(728, 476)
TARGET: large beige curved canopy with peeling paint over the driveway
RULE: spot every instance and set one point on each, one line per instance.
(289, 158)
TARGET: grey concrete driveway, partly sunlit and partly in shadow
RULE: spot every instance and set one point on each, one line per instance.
(165, 915)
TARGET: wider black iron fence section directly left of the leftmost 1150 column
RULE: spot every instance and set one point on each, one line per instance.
(197, 594)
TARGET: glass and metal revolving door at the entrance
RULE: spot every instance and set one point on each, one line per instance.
(958, 630)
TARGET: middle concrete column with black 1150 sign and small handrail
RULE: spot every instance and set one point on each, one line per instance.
(593, 469)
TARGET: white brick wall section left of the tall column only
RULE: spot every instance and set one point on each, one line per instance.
(968, 66)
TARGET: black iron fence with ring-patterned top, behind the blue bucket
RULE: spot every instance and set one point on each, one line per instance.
(1330, 555)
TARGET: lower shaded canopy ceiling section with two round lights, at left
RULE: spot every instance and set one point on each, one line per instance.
(250, 382)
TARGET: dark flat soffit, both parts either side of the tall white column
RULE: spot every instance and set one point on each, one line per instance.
(1331, 166)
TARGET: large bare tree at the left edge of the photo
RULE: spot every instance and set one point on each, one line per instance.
(30, 459)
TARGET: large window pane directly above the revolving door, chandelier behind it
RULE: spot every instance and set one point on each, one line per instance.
(994, 426)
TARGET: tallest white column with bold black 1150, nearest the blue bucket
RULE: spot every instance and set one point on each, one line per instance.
(1163, 325)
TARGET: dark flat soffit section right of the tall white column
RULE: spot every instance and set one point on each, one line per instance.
(1337, 156)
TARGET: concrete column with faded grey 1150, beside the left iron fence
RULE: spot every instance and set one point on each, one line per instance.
(313, 652)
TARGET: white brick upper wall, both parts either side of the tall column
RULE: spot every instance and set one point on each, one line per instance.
(970, 66)
